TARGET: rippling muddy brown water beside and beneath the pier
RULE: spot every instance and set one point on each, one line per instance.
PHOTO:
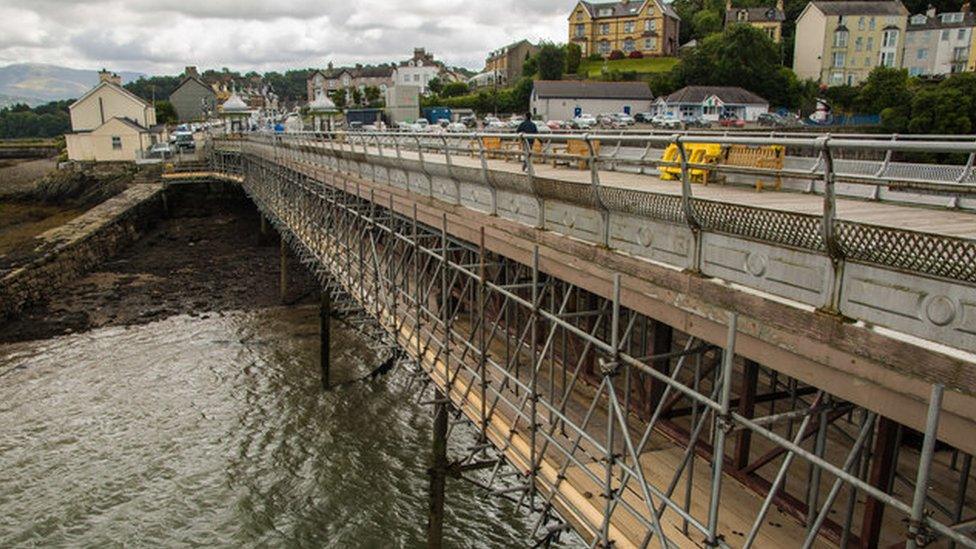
(210, 428)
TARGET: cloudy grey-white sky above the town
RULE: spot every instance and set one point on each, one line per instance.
(162, 36)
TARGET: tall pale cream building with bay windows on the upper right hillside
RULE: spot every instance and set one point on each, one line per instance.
(842, 42)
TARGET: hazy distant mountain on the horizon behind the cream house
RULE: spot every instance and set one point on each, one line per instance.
(37, 83)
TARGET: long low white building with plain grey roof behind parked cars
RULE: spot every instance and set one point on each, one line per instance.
(567, 99)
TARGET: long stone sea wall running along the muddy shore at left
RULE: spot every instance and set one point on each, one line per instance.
(63, 253)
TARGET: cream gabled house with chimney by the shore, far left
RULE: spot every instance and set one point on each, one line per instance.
(110, 123)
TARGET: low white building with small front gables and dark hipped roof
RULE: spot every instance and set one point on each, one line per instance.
(712, 102)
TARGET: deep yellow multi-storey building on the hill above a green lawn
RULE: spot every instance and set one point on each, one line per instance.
(648, 26)
